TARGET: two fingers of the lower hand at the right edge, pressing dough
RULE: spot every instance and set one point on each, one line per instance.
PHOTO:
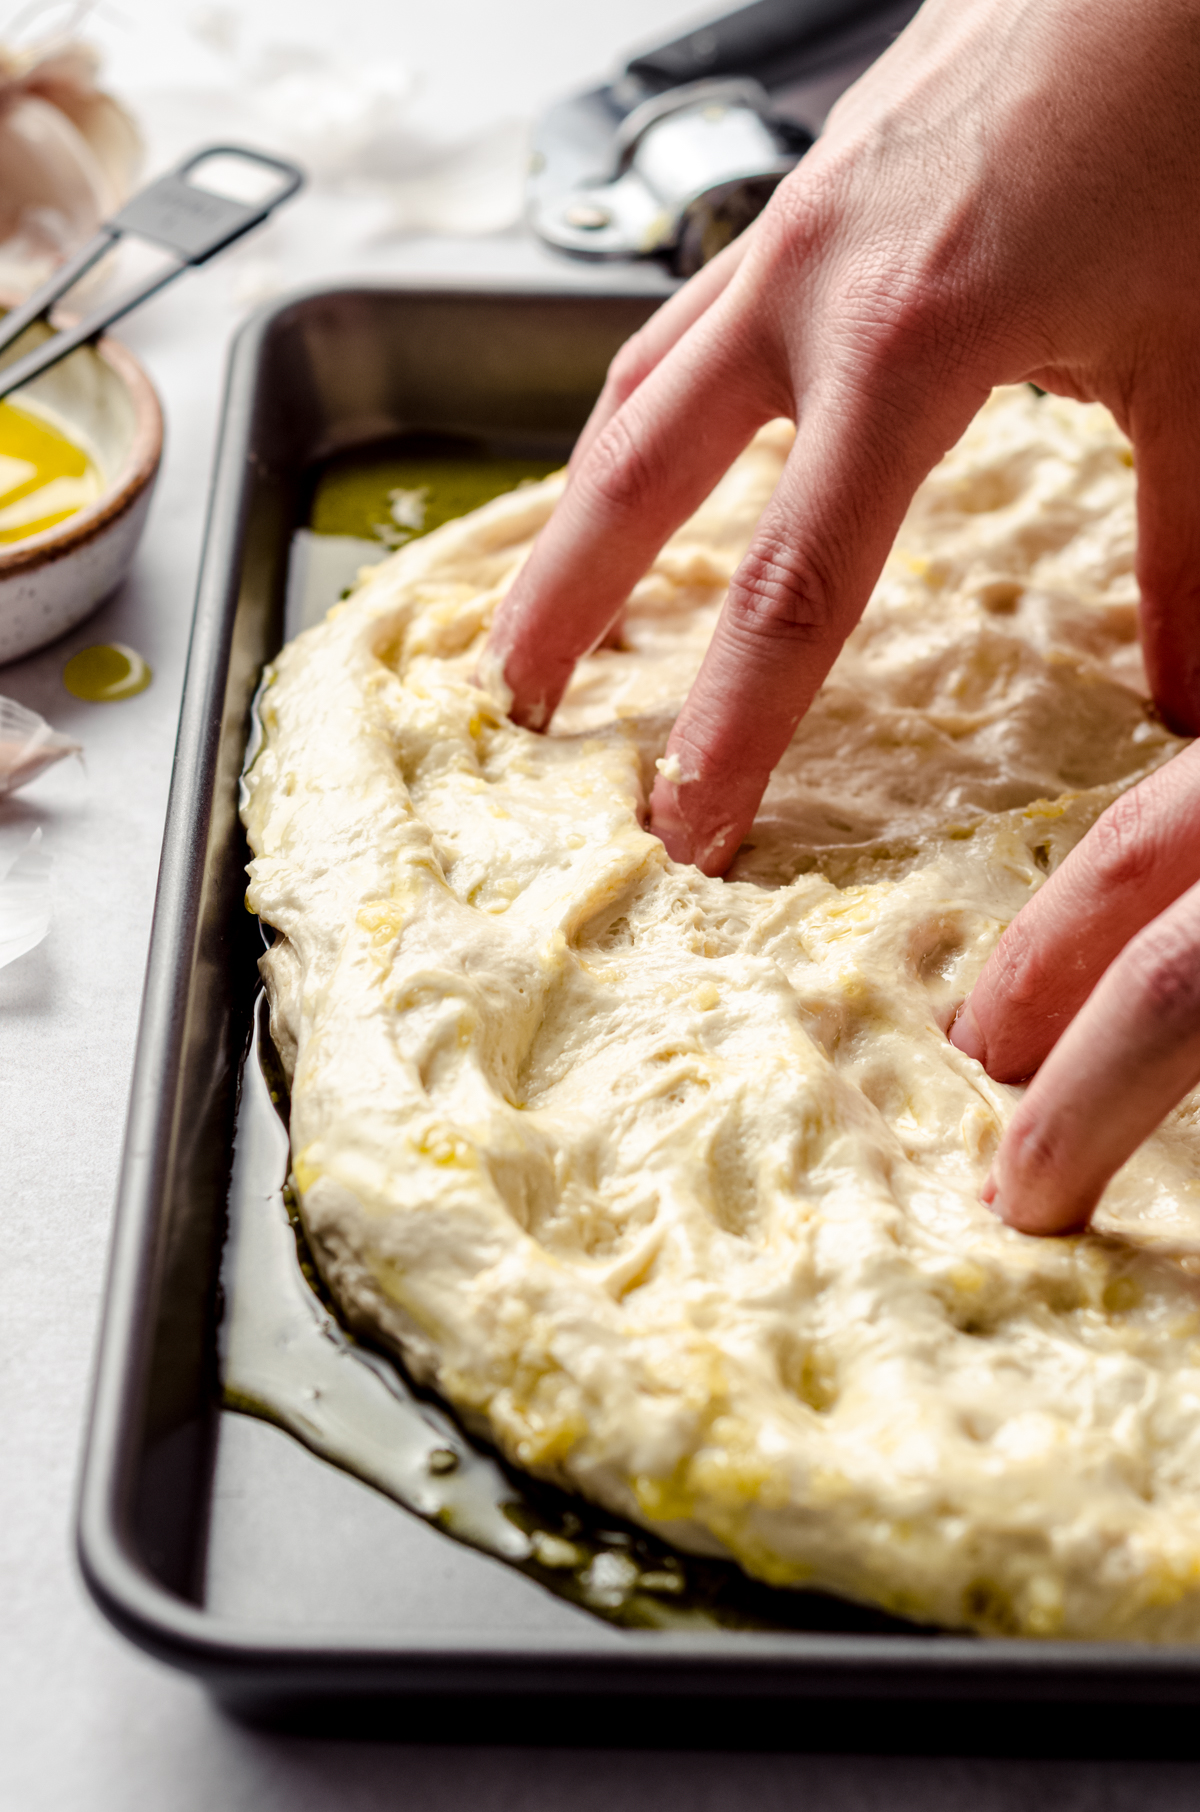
(1096, 987)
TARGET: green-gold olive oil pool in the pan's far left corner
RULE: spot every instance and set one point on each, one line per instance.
(371, 501)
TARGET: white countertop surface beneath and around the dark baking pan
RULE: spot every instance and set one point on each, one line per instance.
(86, 1722)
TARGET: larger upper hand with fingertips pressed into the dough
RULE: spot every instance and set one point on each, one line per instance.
(1011, 193)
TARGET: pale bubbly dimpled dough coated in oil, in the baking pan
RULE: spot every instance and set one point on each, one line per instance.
(672, 1184)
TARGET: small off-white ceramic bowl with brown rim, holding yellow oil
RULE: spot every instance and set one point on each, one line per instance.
(52, 581)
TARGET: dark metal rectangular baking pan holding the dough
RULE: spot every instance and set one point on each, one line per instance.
(217, 1541)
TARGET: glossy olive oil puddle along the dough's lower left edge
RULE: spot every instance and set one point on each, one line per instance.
(285, 1358)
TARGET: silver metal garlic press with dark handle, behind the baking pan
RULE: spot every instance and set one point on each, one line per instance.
(684, 148)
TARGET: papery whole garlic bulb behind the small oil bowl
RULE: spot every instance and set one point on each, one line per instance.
(68, 157)
